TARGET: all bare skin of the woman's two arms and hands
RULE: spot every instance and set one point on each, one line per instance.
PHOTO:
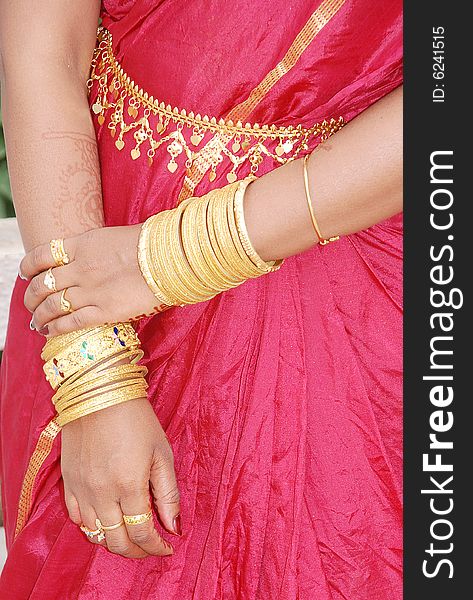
(355, 181)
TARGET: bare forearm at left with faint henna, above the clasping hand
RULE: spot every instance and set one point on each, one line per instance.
(51, 146)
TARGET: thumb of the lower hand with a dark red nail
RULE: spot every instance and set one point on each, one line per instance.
(166, 493)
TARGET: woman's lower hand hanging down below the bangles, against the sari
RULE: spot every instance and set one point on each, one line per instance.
(110, 460)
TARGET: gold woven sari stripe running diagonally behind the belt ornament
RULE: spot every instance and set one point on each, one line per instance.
(317, 21)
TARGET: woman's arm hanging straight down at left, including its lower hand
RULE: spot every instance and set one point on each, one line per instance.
(55, 180)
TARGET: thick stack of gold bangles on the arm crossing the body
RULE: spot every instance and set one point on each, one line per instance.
(193, 252)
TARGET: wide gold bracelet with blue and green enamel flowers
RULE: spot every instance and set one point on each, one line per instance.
(89, 349)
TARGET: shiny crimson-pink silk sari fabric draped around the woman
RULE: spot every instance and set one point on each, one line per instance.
(281, 398)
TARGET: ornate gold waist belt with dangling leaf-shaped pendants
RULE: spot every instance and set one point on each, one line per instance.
(134, 116)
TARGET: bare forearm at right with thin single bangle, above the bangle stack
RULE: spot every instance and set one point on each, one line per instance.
(355, 181)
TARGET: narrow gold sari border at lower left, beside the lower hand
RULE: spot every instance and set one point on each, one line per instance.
(41, 452)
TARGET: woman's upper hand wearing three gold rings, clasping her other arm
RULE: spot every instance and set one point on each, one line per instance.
(103, 282)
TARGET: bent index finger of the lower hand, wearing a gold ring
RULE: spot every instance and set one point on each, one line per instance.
(144, 534)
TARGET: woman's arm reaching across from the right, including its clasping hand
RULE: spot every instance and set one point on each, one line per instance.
(355, 180)
